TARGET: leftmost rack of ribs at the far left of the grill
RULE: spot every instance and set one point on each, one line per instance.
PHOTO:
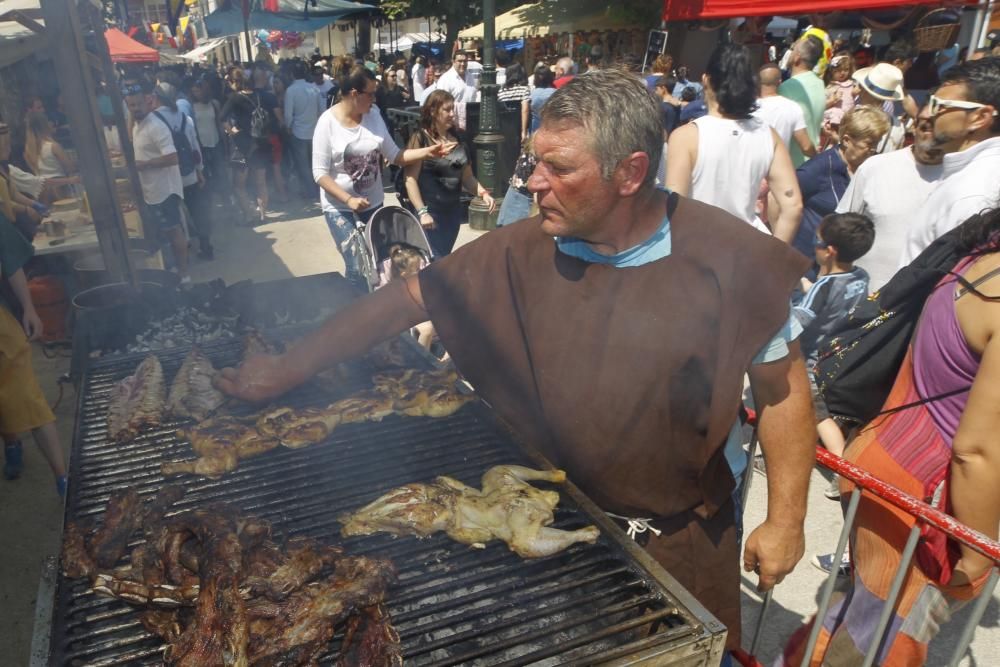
(137, 401)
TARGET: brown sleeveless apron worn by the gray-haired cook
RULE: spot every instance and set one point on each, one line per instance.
(628, 378)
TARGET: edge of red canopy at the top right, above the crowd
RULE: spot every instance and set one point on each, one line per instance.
(692, 10)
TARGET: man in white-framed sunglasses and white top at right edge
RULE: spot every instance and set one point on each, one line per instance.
(966, 129)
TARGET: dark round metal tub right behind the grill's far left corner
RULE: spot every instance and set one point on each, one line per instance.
(111, 316)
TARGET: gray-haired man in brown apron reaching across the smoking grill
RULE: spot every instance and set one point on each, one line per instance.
(613, 332)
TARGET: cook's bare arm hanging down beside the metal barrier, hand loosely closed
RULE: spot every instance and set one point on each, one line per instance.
(787, 432)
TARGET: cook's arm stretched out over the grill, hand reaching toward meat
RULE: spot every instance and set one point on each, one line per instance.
(348, 334)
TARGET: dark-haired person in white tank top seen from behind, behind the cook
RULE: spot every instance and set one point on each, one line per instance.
(722, 158)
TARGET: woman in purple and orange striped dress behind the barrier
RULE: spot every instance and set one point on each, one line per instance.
(941, 448)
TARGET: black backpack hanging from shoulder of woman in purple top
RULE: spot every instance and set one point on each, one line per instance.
(857, 365)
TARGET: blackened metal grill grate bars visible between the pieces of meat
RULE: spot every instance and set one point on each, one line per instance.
(451, 605)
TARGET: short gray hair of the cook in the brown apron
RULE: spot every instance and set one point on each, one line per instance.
(618, 114)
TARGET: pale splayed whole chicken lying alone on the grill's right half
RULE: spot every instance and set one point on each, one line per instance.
(507, 508)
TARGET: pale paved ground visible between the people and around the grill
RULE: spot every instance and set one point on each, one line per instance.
(298, 243)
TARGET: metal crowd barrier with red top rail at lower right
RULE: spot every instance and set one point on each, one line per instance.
(924, 514)
